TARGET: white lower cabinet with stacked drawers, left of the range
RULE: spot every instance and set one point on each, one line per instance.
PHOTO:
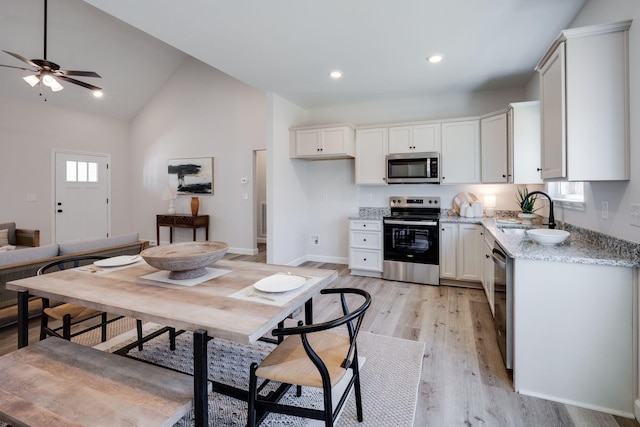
(365, 247)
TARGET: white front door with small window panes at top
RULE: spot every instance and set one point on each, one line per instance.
(81, 196)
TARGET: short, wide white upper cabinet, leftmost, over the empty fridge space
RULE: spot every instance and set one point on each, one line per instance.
(323, 143)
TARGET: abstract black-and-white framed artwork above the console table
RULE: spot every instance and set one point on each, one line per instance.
(192, 175)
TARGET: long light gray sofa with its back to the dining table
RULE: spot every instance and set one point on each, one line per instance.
(22, 263)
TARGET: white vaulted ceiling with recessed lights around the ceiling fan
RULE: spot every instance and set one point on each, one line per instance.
(282, 46)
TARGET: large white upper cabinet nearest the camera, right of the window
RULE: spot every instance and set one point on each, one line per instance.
(584, 94)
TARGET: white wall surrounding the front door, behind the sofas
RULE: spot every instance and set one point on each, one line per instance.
(29, 131)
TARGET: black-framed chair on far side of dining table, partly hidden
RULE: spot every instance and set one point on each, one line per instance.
(72, 314)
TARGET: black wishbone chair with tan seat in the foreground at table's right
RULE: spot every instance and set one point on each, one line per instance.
(314, 356)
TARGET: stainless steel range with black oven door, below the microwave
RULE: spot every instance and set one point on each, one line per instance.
(411, 242)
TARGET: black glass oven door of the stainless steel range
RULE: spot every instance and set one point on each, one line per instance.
(411, 241)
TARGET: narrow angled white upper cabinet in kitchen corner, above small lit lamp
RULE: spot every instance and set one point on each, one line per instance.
(493, 138)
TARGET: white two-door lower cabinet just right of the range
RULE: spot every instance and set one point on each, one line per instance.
(461, 251)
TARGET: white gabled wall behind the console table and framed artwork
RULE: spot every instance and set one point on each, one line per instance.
(200, 112)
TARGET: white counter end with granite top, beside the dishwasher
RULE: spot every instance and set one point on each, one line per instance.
(575, 319)
